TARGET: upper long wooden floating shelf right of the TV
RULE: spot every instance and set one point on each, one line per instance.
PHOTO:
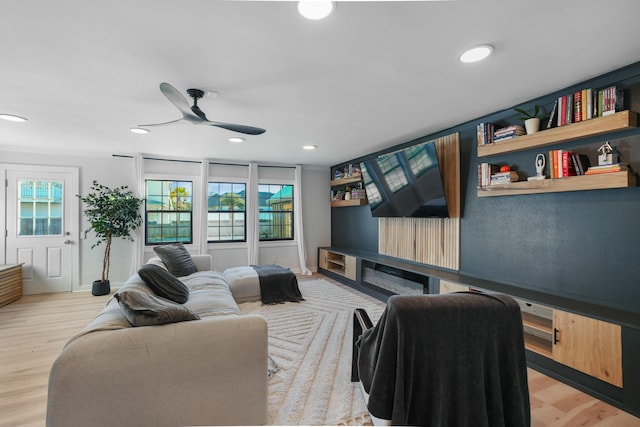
(593, 127)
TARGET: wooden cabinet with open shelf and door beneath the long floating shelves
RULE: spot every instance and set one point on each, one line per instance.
(582, 343)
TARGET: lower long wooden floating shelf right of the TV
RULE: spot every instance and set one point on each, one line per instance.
(621, 179)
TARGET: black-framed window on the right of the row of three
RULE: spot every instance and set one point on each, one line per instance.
(275, 205)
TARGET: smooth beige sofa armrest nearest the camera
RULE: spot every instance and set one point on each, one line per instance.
(202, 372)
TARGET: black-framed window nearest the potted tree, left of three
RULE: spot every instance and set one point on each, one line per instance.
(168, 211)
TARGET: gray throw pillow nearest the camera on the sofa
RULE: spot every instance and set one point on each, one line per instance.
(142, 309)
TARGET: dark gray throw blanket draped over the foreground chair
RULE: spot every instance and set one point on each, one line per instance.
(447, 360)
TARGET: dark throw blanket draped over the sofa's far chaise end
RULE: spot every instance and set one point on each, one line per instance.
(277, 284)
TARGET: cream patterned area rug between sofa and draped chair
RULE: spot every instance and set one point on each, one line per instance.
(311, 344)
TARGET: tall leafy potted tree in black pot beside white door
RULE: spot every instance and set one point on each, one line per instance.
(111, 212)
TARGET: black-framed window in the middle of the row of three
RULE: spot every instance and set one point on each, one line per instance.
(226, 217)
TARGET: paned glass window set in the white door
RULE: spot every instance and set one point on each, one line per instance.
(39, 208)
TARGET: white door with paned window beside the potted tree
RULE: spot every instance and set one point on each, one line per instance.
(42, 223)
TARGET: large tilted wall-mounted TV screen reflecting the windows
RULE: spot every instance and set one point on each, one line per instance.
(405, 183)
